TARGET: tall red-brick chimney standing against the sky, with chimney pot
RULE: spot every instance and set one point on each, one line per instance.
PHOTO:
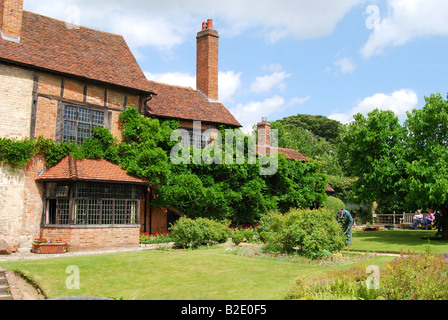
(207, 60)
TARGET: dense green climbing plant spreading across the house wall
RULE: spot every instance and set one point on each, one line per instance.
(236, 192)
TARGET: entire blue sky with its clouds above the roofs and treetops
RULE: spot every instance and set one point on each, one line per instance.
(281, 58)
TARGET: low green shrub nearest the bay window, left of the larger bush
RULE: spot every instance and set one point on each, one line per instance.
(191, 233)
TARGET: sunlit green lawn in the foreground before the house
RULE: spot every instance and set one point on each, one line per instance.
(210, 274)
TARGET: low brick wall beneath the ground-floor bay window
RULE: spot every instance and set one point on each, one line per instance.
(82, 239)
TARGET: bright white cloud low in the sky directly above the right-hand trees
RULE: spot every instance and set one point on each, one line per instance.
(399, 102)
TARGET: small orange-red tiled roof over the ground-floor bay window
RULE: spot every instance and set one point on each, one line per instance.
(87, 170)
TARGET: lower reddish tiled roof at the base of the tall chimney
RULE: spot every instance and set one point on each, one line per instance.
(187, 104)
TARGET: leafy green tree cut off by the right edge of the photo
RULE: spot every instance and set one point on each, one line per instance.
(427, 158)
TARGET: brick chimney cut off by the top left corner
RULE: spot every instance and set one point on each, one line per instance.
(11, 19)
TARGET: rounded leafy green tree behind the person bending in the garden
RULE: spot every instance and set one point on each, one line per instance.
(372, 151)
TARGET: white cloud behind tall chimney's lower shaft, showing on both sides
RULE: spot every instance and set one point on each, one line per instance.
(229, 82)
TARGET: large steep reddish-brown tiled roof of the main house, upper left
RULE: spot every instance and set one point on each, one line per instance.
(48, 44)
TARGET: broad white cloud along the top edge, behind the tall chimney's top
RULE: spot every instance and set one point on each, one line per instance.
(165, 24)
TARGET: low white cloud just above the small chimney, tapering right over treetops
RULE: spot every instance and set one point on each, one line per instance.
(252, 112)
